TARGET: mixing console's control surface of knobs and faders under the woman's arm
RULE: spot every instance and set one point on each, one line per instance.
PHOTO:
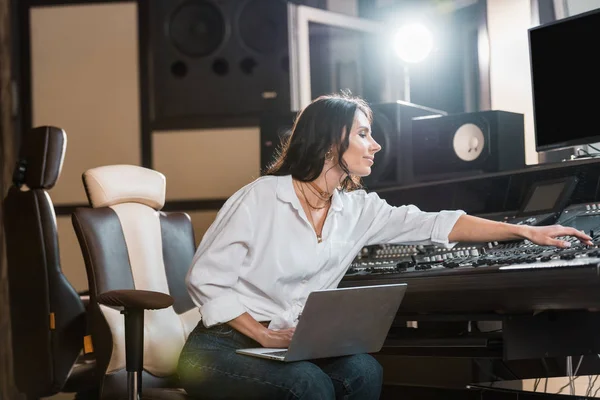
(381, 259)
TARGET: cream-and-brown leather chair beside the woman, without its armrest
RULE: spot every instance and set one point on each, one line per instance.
(128, 243)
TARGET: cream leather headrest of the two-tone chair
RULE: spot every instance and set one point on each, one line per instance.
(115, 184)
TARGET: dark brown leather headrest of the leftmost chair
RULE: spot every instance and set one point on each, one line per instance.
(41, 157)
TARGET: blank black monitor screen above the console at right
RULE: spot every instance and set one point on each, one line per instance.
(566, 81)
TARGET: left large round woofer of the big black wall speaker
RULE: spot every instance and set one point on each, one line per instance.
(197, 28)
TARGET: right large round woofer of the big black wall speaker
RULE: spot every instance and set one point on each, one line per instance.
(262, 25)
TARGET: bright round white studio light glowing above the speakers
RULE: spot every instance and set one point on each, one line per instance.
(413, 43)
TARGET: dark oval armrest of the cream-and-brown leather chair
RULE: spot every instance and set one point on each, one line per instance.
(136, 299)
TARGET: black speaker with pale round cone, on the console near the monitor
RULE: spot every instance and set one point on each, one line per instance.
(466, 144)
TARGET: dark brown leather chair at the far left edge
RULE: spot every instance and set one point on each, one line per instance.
(48, 317)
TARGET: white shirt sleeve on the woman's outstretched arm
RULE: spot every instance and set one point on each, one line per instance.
(408, 224)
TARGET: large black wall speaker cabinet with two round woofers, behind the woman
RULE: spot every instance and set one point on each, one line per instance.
(217, 62)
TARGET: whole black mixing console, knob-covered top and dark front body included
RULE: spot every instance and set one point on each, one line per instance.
(531, 288)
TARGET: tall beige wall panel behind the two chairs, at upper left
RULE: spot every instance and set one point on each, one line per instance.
(84, 70)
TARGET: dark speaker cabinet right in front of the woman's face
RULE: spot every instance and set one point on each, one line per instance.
(391, 128)
